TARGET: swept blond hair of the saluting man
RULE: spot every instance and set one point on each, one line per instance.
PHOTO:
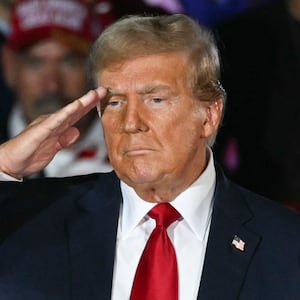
(135, 36)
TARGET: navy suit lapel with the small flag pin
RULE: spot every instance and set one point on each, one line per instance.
(225, 266)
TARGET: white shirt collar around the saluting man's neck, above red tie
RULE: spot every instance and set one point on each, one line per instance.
(194, 204)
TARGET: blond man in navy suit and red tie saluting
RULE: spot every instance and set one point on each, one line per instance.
(160, 103)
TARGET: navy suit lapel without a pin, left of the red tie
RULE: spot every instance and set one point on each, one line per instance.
(92, 237)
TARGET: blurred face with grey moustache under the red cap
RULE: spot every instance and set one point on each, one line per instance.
(47, 76)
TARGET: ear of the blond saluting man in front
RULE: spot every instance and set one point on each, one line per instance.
(212, 118)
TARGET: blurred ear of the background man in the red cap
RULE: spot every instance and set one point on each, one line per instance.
(9, 63)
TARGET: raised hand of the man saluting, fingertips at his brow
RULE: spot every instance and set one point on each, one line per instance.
(37, 144)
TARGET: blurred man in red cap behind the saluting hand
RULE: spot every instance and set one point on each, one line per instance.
(45, 65)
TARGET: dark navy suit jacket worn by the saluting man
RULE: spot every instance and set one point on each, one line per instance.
(58, 242)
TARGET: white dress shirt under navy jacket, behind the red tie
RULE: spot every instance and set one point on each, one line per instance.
(188, 235)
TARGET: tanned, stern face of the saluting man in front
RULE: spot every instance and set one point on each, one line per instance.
(155, 131)
